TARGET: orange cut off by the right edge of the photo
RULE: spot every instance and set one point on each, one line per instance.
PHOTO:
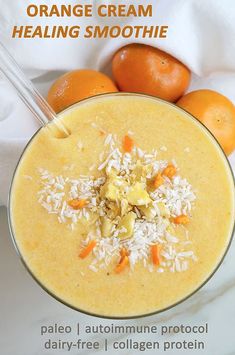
(216, 112)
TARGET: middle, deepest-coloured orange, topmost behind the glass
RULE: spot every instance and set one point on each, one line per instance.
(145, 69)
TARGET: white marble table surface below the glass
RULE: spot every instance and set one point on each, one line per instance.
(25, 307)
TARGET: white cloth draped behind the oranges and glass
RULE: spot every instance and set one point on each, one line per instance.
(201, 34)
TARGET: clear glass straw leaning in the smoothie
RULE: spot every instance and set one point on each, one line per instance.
(26, 90)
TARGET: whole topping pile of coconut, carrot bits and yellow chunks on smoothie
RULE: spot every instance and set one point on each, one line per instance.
(137, 210)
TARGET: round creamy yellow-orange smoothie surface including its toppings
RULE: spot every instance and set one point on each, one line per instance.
(67, 194)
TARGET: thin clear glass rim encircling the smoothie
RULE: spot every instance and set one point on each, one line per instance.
(12, 234)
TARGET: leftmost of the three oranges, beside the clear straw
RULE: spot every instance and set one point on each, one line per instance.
(77, 85)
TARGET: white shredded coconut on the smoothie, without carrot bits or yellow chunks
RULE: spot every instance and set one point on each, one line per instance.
(176, 195)
